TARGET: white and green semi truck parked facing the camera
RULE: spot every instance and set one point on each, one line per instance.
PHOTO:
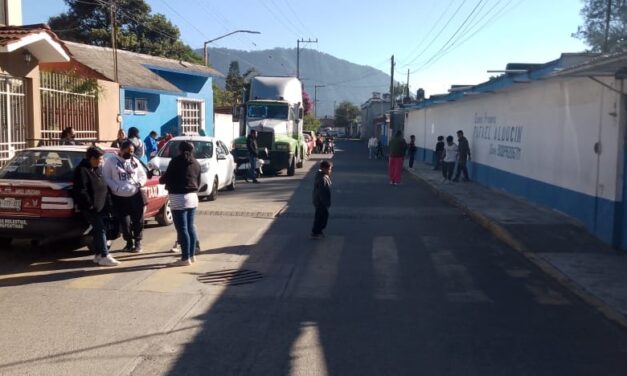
(274, 108)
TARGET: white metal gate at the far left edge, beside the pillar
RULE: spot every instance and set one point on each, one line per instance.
(12, 117)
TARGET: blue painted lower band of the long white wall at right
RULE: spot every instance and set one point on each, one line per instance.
(577, 205)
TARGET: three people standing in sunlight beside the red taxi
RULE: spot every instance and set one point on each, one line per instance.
(113, 188)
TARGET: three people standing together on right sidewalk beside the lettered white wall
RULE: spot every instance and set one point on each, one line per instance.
(448, 154)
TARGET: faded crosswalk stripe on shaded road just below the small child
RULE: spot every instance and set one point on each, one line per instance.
(321, 269)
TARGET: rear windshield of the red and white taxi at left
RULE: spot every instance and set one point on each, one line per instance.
(42, 165)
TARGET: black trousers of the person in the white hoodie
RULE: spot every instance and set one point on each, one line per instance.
(130, 213)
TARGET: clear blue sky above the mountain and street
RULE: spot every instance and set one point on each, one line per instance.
(368, 32)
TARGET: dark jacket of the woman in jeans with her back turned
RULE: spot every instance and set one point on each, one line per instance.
(182, 175)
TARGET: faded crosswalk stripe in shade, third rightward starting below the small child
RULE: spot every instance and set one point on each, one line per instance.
(458, 283)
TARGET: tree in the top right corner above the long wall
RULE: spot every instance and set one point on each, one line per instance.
(593, 31)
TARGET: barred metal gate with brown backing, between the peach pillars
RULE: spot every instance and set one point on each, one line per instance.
(68, 101)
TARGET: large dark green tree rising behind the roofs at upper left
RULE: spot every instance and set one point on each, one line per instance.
(138, 30)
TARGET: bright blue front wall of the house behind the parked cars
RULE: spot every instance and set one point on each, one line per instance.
(162, 114)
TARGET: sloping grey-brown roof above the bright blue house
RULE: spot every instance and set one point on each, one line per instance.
(136, 70)
